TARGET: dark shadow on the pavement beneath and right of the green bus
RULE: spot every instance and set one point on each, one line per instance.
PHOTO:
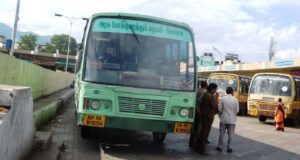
(125, 144)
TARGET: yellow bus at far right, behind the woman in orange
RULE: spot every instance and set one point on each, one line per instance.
(267, 88)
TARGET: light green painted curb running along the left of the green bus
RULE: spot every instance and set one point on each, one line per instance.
(49, 111)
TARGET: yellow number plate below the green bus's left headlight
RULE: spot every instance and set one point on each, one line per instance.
(93, 120)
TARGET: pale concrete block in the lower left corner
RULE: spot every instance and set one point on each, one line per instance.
(16, 124)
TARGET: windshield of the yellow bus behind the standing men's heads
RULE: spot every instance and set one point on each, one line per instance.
(224, 81)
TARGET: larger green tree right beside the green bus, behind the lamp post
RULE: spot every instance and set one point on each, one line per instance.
(60, 42)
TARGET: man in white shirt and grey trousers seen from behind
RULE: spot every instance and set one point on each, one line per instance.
(228, 109)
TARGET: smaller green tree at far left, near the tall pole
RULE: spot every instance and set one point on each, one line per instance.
(28, 42)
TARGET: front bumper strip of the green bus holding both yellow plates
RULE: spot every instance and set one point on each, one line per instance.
(133, 124)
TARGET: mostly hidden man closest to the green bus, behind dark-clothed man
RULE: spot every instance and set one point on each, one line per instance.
(197, 123)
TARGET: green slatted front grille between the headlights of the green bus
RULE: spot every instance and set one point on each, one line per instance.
(142, 106)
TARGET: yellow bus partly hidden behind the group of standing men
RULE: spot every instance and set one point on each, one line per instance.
(240, 85)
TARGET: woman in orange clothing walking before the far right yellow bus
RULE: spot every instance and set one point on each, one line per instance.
(279, 116)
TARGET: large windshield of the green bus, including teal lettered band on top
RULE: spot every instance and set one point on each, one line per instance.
(139, 54)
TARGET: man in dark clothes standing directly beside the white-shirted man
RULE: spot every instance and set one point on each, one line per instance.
(208, 109)
